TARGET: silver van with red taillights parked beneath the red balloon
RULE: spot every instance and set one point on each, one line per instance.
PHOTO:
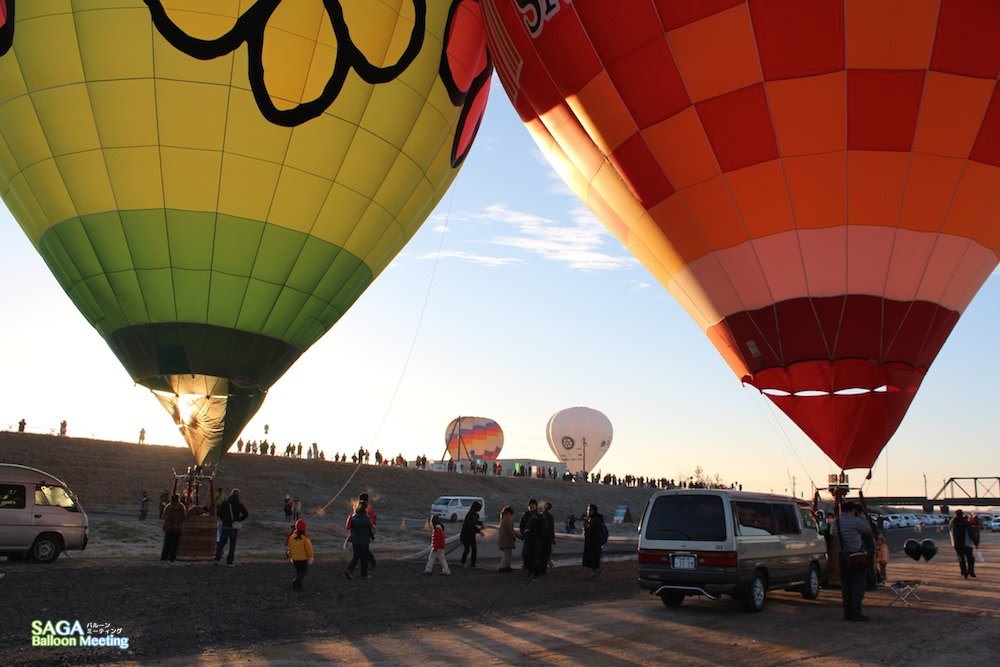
(715, 542)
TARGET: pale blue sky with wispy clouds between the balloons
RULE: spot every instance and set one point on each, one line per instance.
(512, 302)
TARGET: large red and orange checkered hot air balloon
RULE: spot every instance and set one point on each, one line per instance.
(818, 183)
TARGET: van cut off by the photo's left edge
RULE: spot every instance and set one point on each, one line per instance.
(39, 516)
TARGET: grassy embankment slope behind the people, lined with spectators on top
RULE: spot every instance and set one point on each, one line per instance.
(112, 475)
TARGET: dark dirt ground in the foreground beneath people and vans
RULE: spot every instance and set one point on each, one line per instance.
(198, 613)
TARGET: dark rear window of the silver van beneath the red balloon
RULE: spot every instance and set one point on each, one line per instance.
(696, 517)
